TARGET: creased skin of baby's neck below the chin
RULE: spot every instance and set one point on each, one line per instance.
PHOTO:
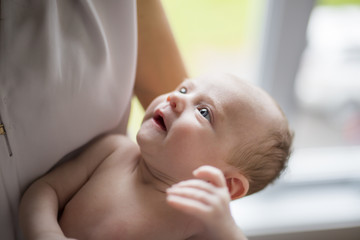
(150, 176)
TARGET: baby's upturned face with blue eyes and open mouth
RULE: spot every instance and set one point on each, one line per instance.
(200, 123)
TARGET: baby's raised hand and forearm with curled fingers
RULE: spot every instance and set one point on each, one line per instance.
(207, 198)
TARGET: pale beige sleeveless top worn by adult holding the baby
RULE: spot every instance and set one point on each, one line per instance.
(67, 73)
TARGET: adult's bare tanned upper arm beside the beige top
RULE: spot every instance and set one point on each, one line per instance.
(160, 68)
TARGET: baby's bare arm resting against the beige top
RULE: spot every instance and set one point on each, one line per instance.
(45, 197)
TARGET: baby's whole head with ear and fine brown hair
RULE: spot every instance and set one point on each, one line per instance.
(220, 121)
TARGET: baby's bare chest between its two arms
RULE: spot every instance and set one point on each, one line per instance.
(113, 205)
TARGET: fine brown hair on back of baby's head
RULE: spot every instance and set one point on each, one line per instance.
(263, 160)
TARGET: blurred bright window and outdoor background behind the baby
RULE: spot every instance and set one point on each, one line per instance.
(306, 54)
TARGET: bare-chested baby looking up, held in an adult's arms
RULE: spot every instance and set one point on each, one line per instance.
(210, 141)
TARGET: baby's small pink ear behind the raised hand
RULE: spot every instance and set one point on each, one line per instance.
(237, 184)
